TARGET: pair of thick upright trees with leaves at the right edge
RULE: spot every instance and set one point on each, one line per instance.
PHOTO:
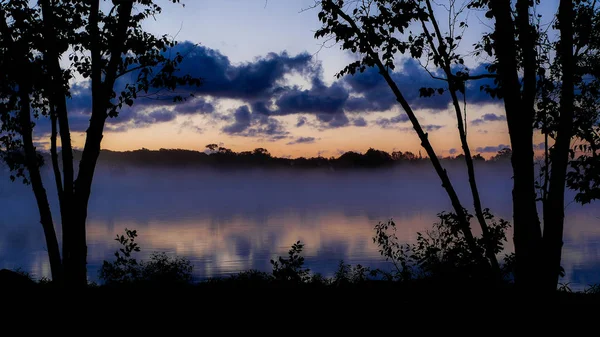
(553, 68)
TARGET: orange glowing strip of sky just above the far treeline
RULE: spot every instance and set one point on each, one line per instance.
(196, 132)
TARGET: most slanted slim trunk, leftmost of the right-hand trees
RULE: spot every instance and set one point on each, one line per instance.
(446, 184)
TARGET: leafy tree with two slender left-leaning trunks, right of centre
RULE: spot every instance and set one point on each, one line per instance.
(372, 30)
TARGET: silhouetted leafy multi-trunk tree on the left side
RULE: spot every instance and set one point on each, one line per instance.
(104, 47)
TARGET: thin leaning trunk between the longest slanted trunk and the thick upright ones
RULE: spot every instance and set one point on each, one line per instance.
(445, 59)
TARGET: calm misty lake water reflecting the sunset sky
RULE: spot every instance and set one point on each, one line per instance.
(225, 222)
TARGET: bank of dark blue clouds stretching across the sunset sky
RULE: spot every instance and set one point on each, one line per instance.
(260, 85)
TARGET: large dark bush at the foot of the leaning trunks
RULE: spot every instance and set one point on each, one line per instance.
(441, 252)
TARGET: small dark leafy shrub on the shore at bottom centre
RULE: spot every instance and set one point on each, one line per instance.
(291, 269)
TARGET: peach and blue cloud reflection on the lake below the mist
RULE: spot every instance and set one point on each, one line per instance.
(248, 243)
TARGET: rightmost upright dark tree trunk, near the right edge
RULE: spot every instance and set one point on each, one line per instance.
(554, 207)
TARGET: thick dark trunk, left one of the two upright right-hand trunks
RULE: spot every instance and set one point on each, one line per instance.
(519, 115)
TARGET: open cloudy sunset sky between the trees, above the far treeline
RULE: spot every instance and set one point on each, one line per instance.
(268, 83)
